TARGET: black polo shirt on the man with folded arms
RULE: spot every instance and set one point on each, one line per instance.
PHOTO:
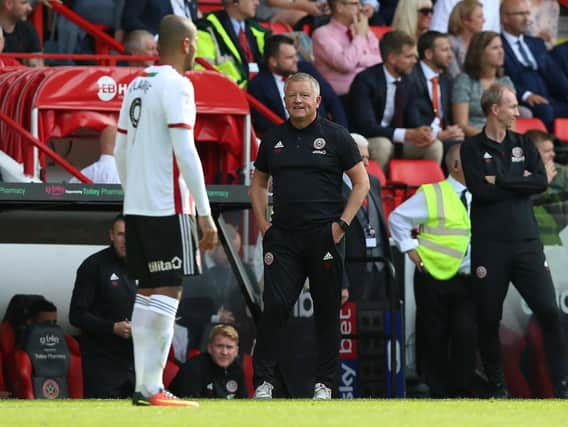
(503, 211)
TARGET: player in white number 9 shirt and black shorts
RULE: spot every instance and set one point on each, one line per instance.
(159, 170)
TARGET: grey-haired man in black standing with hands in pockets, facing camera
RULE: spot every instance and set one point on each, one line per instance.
(306, 157)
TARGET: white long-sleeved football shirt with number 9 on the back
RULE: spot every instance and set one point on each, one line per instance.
(157, 120)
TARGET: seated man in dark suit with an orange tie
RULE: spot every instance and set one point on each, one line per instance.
(433, 87)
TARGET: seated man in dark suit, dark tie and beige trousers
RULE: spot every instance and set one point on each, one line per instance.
(380, 106)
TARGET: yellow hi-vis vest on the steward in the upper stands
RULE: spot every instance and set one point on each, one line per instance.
(215, 45)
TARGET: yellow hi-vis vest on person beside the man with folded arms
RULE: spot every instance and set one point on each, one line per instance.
(443, 239)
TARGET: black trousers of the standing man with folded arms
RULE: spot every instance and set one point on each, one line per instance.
(523, 263)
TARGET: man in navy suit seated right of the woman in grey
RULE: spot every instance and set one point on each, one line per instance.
(538, 80)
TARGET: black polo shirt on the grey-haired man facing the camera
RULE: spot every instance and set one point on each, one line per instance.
(307, 166)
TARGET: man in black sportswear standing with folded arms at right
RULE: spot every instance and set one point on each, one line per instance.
(503, 170)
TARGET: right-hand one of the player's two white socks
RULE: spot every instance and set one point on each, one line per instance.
(160, 318)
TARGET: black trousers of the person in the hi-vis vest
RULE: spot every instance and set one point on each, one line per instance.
(445, 328)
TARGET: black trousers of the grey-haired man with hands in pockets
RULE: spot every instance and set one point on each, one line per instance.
(290, 257)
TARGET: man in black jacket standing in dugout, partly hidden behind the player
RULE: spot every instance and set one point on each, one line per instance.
(101, 306)
